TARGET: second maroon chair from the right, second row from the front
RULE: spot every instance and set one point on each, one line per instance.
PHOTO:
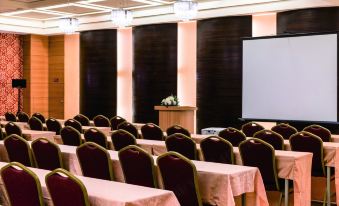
(137, 166)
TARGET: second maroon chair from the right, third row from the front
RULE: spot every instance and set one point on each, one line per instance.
(217, 149)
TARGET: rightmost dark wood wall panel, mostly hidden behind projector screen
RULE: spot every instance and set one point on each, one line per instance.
(305, 21)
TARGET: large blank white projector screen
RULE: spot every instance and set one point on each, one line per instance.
(290, 78)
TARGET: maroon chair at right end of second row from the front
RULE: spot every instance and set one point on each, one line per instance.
(184, 184)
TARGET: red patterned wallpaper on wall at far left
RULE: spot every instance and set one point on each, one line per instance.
(11, 67)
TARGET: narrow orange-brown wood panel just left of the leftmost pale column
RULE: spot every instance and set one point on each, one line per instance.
(56, 54)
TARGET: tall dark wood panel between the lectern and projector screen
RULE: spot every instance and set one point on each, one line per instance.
(219, 70)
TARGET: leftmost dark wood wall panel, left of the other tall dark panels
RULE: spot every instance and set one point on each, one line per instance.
(98, 73)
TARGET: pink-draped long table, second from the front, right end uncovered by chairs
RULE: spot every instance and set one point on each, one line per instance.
(219, 183)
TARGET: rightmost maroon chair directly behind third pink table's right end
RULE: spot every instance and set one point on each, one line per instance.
(308, 142)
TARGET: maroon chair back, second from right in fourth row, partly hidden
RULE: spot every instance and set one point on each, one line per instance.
(272, 138)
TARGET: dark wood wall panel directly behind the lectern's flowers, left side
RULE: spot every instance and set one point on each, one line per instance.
(155, 68)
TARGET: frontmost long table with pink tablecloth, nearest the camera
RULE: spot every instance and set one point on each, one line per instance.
(107, 193)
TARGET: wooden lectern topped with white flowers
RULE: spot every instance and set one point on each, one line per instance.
(182, 115)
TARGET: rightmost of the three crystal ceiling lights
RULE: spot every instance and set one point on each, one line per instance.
(185, 10)
